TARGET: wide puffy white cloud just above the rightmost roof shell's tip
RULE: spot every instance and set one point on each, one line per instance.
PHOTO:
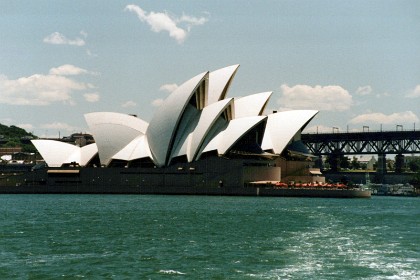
(325, 98)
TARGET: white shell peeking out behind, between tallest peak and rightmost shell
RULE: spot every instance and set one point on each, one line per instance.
(251, 105)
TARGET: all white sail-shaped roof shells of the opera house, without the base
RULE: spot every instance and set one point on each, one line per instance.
(195, 118)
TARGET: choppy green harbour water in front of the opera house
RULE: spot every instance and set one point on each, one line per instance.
(197, 237)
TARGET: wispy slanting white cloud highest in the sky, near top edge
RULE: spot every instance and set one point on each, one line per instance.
(162, 21)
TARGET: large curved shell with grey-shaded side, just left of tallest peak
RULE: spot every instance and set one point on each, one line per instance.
(164, 126)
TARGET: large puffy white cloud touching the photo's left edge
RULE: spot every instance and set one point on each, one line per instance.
(40, 89)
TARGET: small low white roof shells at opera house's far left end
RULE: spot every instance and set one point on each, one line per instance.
(56, 153)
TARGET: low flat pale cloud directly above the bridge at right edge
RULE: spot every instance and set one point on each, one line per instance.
(380, 118)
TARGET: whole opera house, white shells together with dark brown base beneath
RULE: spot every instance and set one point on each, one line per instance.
(198, 137)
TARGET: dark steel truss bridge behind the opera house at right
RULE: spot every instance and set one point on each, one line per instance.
(380, 143)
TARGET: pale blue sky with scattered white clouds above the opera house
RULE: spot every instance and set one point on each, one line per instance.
(358, 62)
